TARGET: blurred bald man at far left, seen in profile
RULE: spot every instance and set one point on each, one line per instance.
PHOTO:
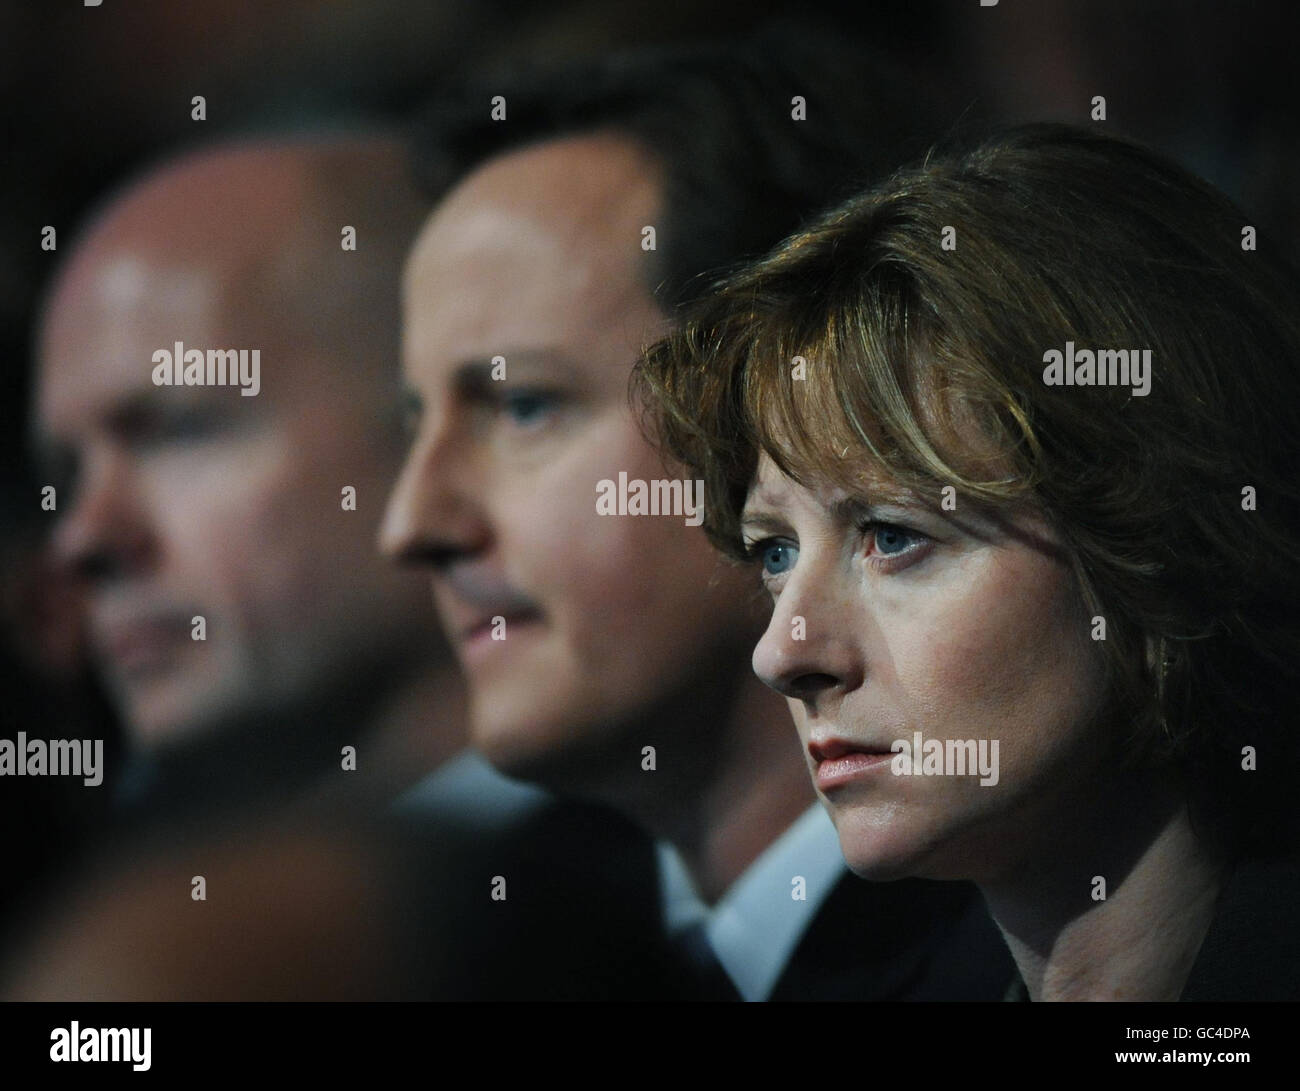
(216, 405)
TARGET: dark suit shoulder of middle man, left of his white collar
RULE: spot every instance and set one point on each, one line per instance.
(580, 919)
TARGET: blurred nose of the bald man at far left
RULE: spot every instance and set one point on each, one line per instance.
(105, 531)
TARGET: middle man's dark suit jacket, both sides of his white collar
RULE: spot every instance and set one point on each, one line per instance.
(583, 924)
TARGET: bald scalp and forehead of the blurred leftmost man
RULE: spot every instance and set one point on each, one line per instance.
(263, 233)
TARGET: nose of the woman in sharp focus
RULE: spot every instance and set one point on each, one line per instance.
(809, 651)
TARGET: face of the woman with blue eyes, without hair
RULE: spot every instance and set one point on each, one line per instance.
(894, 617)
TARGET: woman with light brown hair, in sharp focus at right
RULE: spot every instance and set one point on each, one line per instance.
(1013, 441)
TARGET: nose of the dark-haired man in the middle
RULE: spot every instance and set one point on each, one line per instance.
(434, 514)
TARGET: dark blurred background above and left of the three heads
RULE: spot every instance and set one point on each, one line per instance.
(94, 96)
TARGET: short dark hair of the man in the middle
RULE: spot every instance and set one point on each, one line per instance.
(742, 172)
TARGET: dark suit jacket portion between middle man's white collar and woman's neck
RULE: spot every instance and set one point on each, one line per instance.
(908, 941)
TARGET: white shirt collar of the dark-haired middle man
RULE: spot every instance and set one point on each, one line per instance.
(760, 921)
